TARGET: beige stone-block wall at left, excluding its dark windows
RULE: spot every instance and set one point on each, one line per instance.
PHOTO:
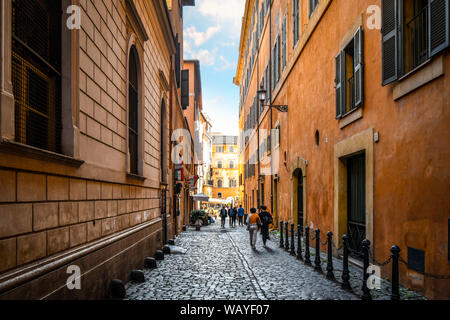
(52, 204)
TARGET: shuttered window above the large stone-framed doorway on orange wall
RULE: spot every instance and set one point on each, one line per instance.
(350, 76)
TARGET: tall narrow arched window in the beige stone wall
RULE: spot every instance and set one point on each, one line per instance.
(133, 100)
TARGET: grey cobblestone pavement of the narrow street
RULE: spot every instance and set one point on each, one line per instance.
(219, 264)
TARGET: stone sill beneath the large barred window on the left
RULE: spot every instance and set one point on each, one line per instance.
(39, 154)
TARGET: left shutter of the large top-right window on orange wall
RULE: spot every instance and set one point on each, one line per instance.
(389, 45)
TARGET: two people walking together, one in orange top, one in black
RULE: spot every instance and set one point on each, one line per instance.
(259, 222)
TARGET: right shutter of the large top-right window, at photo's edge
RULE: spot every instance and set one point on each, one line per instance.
(438, 25)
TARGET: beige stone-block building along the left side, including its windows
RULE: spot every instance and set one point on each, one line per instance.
(86, 176)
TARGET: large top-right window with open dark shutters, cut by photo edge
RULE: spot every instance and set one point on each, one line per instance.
(413, 31)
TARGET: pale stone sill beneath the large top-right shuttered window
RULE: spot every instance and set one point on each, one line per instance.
(418, 77)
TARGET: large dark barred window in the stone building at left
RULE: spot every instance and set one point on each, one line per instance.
(36, 72)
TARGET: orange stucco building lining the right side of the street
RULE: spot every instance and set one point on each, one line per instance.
(362, 148)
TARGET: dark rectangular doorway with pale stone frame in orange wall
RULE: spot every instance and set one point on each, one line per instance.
(356, 201)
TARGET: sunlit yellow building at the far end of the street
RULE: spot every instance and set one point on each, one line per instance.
(224, 176)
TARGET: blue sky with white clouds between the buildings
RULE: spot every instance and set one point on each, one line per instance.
(211, 35)
